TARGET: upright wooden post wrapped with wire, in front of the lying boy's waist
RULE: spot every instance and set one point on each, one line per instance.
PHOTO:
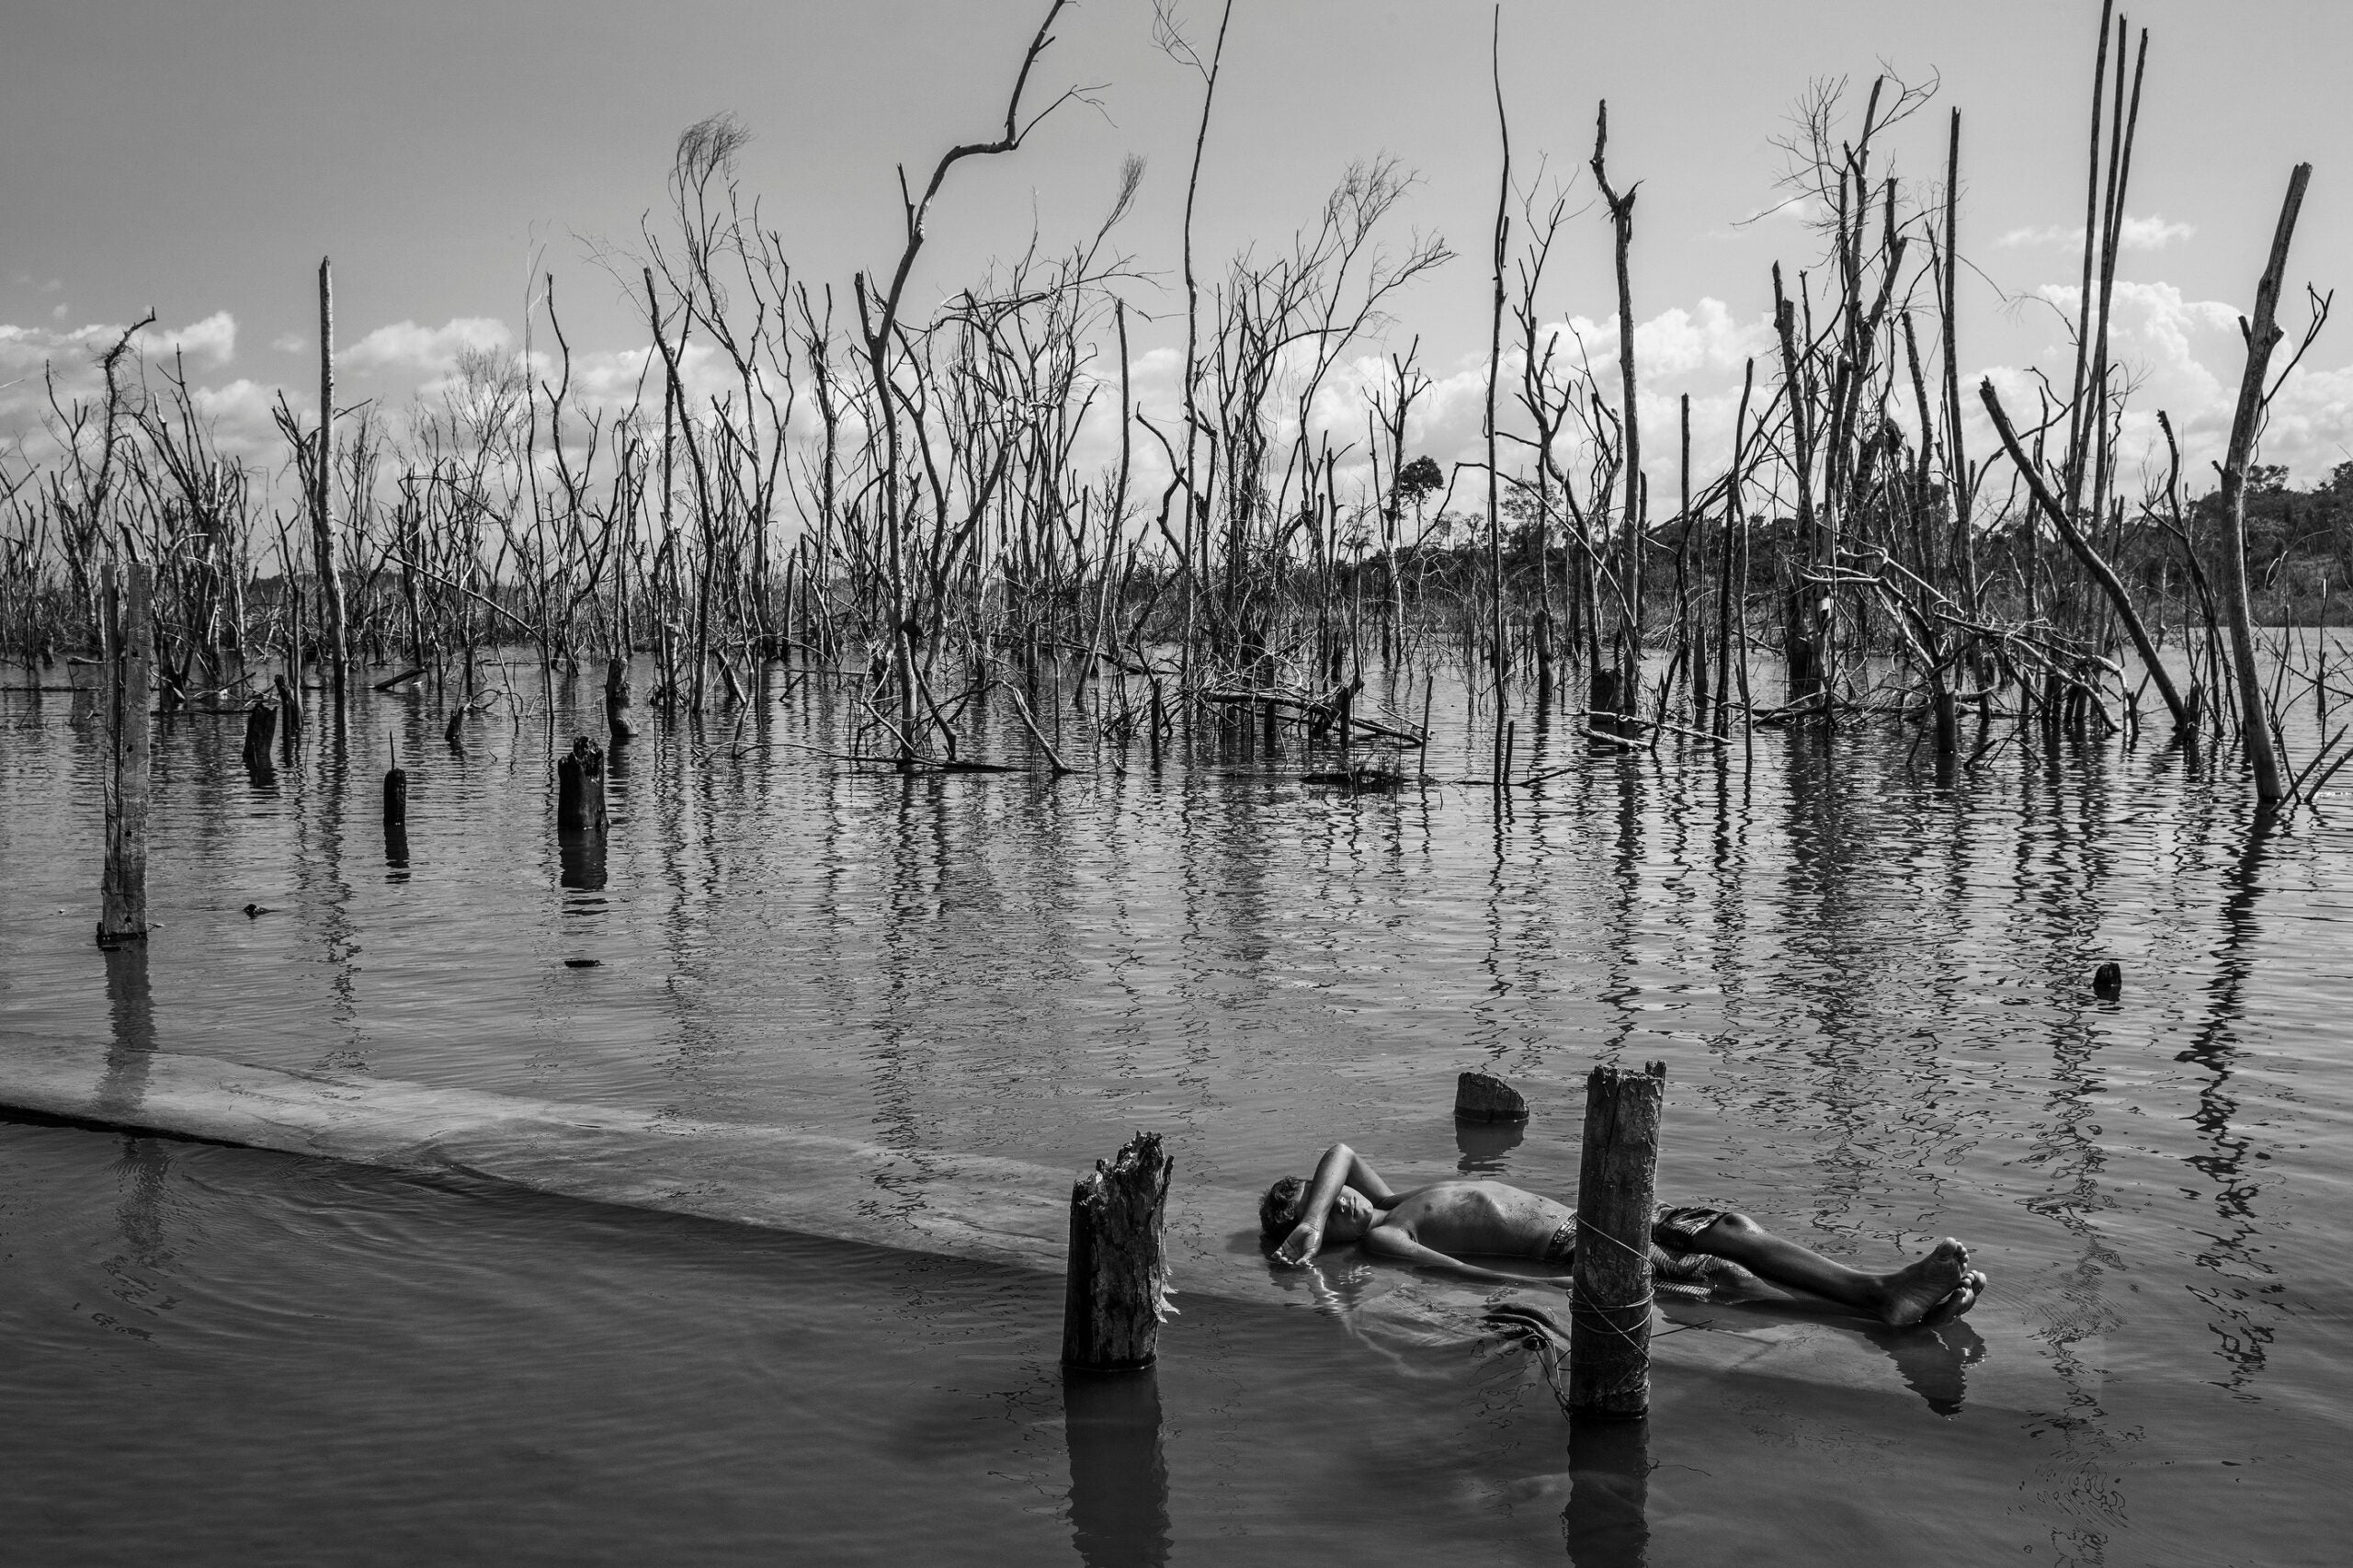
(1615, 1183)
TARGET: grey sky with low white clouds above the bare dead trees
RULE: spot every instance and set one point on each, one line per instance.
(201, 157)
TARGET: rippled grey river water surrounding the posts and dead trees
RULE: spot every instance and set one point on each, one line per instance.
(1872, 995)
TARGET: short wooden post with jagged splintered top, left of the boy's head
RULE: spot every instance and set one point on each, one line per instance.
(1116, 1289)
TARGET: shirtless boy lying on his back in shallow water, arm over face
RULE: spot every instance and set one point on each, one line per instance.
(1432, 1225)
